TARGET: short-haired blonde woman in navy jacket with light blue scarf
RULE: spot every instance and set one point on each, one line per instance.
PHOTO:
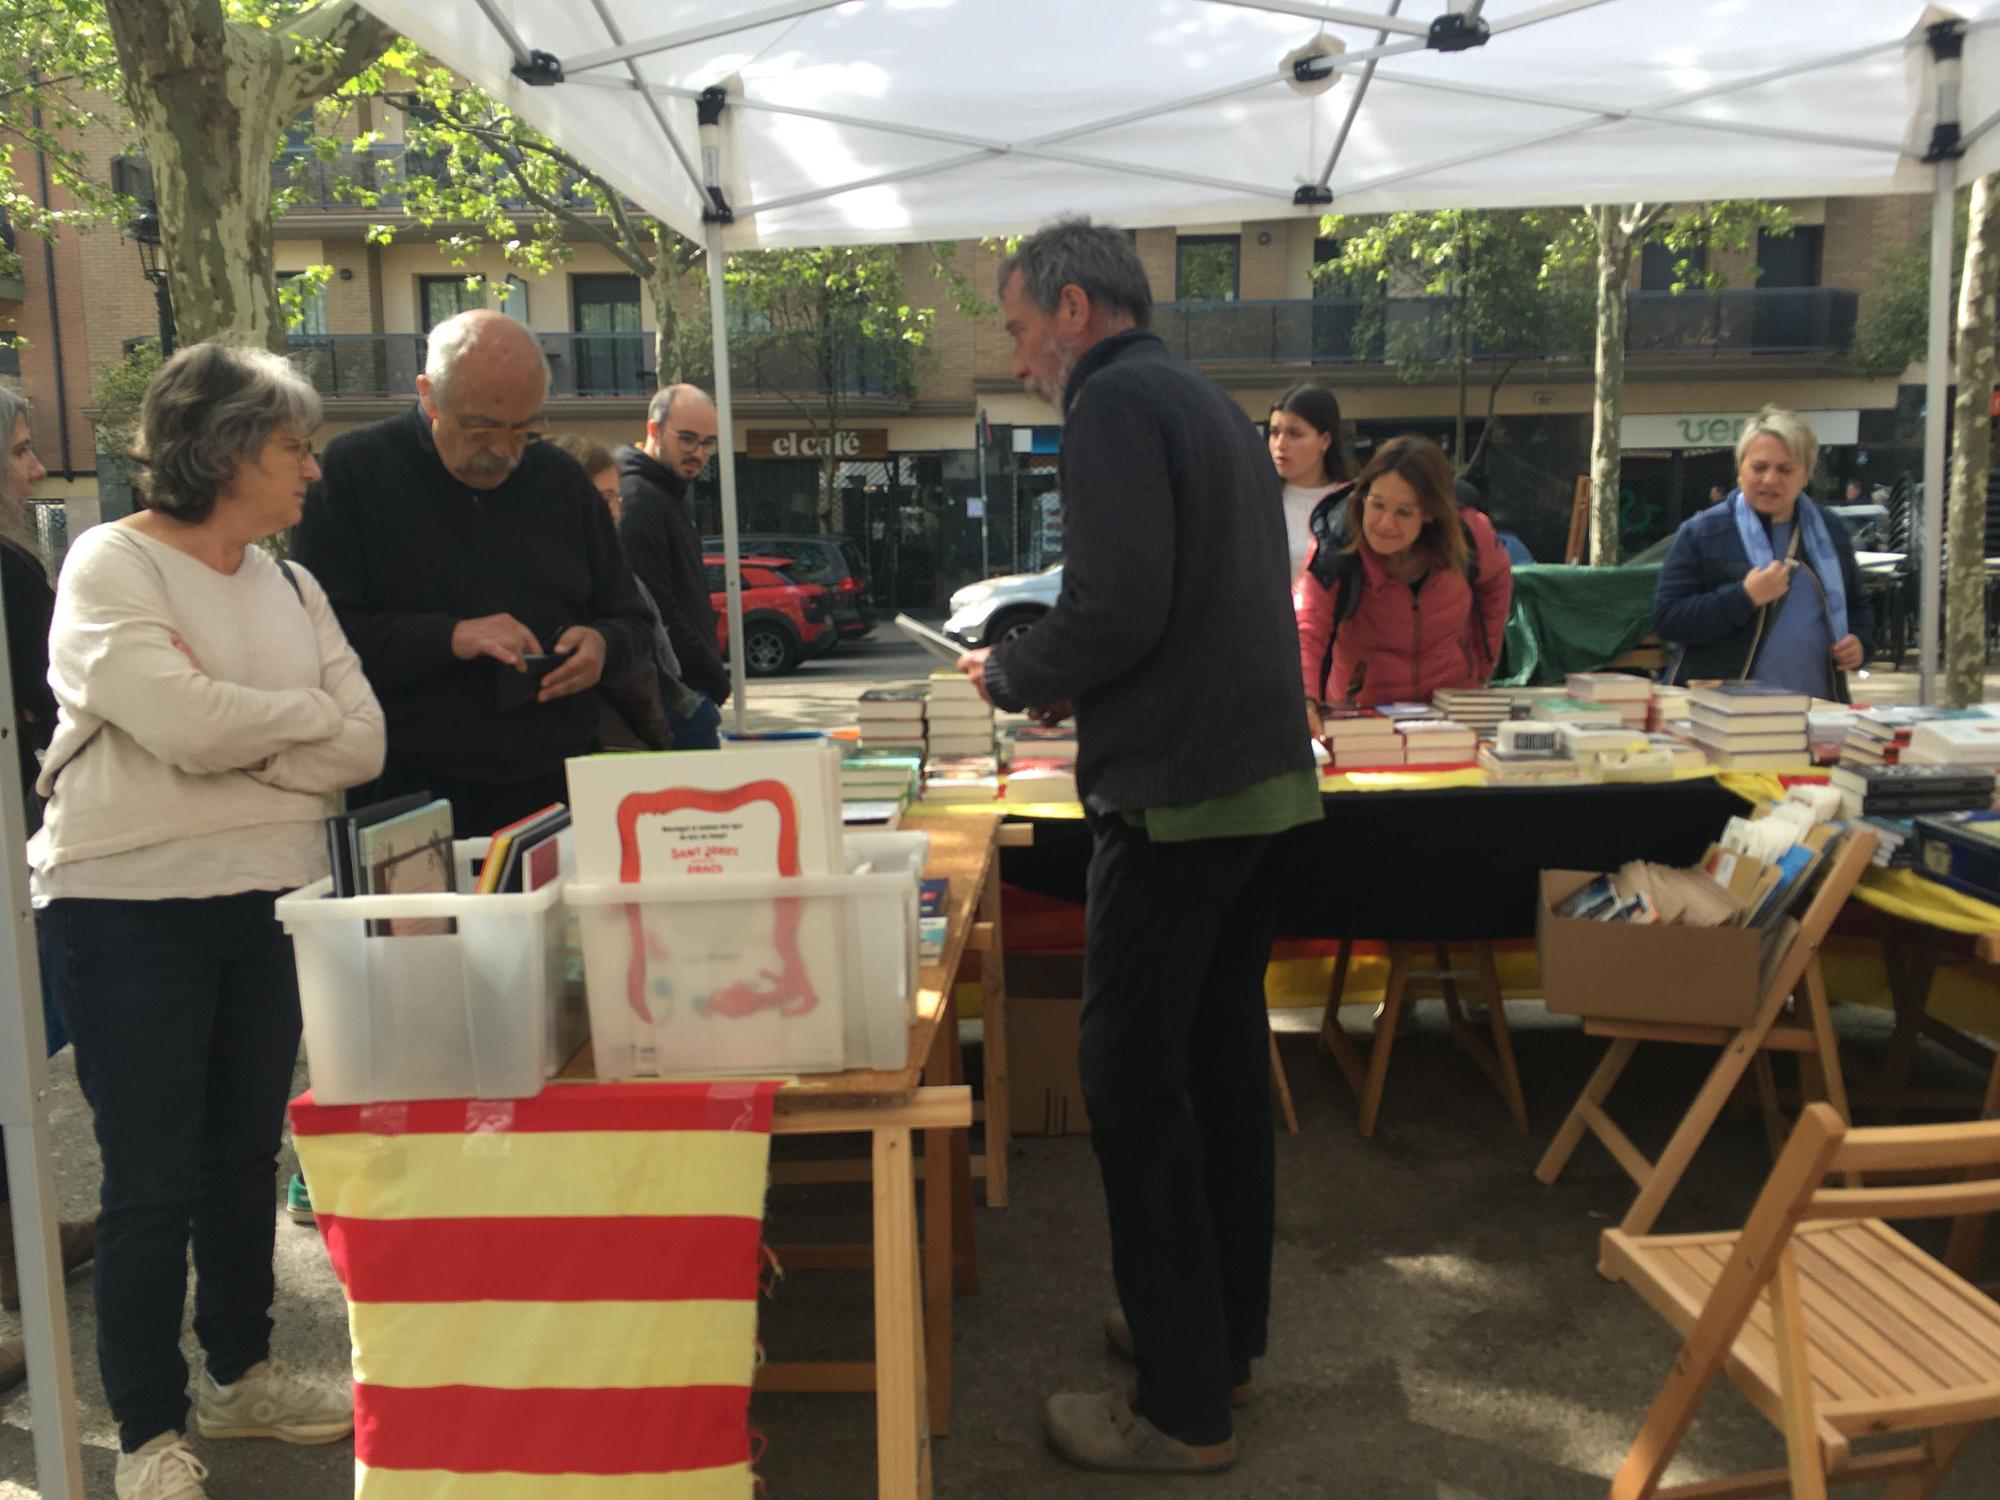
(1765, 585)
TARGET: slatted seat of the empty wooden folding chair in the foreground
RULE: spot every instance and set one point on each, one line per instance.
(1891, 1333)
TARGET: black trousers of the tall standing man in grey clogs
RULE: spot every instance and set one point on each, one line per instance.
(1175, 1063)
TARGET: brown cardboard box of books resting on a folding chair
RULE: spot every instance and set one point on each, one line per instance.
(1699, 977)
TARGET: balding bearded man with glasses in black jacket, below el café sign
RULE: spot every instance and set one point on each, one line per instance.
(667, 547)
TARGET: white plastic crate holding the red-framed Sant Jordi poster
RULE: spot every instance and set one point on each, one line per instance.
(755, 975)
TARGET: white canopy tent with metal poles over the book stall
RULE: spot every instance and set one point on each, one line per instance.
(879, 121)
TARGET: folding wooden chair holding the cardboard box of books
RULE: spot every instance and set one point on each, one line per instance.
(1809, 1031)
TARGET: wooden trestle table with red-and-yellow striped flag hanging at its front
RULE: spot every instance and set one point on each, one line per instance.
(915, 1275)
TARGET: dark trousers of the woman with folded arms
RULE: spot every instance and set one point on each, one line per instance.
(185, 1019)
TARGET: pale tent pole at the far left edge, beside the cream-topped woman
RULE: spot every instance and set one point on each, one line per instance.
(45, 1313)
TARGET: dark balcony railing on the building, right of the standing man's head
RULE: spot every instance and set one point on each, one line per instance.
(1355, 331)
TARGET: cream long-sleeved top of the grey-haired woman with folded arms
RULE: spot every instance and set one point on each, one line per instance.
(181, 781)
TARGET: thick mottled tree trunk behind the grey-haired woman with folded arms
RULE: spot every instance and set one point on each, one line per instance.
(211, 101)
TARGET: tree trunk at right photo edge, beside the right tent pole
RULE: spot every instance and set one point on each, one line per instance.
(1965, 527)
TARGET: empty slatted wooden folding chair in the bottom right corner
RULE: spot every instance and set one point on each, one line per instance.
(1827, 1319)
